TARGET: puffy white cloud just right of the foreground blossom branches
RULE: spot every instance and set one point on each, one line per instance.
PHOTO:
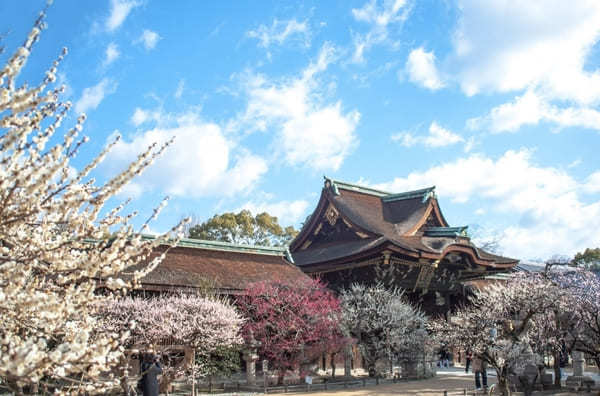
(200, 162)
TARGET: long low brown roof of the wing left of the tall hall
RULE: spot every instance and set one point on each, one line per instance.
(223, 266)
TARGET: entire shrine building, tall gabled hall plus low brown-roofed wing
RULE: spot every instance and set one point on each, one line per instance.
(355, 234)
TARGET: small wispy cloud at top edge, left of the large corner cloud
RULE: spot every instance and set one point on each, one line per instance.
(379, 18)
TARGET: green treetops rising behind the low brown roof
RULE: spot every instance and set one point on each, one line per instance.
(243, 228)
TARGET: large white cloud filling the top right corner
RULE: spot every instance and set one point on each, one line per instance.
(506, 46)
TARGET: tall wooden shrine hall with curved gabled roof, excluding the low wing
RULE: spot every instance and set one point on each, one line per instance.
(359, 234)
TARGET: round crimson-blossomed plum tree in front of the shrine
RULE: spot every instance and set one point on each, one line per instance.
(294, 323)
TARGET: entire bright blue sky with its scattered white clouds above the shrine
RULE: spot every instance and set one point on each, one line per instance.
(495, 102)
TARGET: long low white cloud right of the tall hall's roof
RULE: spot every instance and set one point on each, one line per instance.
(553, 220)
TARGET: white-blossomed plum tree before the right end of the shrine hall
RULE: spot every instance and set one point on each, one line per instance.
(502, 323)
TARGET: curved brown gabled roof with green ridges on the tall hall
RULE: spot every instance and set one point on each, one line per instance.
(387, 219)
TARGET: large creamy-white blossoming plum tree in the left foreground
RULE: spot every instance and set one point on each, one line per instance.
(58, 242)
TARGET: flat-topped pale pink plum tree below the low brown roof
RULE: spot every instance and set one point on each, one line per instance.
(204, 323)
